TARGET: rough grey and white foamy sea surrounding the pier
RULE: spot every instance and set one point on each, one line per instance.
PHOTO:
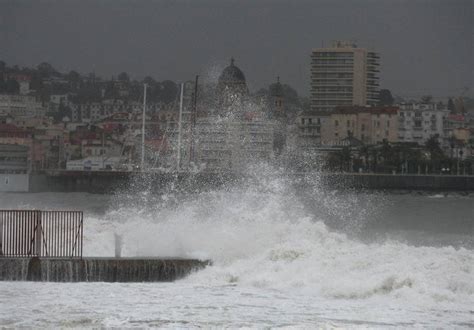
(282, 256)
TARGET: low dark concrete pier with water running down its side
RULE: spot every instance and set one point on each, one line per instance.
(98, 269)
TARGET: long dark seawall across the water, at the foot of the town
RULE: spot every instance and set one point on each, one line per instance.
(108, 181)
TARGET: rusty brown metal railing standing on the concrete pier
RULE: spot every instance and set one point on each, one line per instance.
(33, 233)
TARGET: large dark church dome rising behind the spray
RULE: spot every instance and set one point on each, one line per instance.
(232, 86)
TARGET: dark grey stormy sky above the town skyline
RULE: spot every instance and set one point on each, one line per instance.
(426, 46)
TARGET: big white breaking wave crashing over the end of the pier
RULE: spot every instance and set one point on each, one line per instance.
(262, 235)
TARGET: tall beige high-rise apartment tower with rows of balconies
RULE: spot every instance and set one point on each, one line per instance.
(343, 75)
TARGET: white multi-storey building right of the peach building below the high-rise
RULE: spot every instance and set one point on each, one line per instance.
(420, 121)
